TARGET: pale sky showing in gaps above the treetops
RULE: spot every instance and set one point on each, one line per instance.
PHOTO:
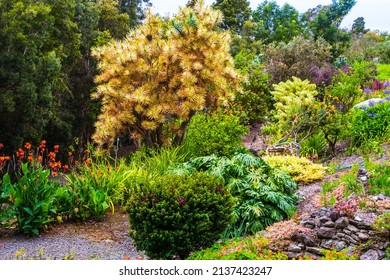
(376, 13)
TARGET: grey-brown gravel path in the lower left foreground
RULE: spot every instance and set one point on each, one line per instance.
(105, 240)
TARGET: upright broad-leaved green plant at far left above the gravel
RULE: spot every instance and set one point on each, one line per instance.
(32, 198)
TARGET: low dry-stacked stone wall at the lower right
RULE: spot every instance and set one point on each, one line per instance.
(330, 231)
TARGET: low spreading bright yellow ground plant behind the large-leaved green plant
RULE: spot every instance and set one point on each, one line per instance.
(300, 169)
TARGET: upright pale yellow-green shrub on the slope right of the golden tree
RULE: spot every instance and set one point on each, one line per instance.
(290, 96)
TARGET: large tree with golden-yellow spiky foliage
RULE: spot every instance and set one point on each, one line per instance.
(152, 82)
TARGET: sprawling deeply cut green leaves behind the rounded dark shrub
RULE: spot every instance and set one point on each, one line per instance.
(264, 195)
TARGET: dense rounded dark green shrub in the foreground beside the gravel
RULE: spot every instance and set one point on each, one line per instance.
(174, 215)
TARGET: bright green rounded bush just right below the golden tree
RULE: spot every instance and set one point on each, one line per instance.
(214, 134)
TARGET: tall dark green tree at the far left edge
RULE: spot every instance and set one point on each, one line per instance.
(30, 65)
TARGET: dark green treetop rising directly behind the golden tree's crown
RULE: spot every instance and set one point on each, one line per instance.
(235, 12)
